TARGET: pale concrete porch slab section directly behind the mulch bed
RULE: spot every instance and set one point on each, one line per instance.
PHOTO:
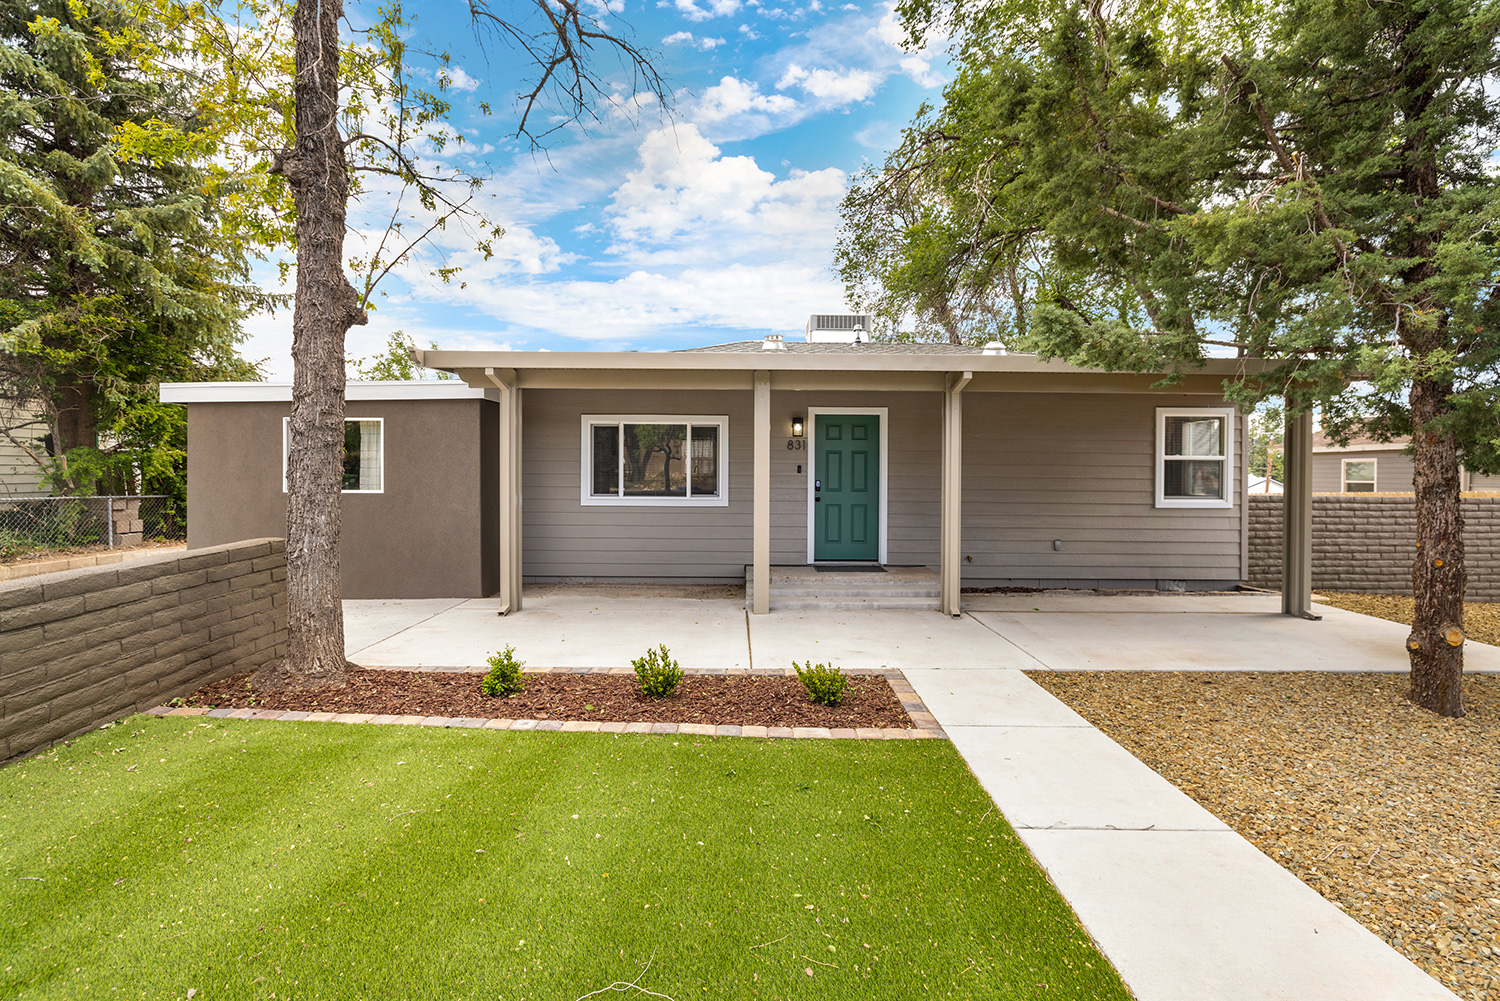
(571, 631)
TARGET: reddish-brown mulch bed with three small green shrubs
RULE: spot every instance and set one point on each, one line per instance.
(736, 702)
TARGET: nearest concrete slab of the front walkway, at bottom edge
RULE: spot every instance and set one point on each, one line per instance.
(1204, 915)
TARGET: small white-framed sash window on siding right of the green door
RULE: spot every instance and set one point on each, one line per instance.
(1195, 458)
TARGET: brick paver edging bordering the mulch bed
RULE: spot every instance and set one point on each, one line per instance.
(926, 724)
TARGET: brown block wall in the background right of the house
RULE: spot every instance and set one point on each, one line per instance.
(1367, 544)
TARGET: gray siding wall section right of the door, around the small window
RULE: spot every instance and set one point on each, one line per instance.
(1081, 467)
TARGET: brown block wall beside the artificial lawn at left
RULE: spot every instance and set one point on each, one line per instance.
(83, 648)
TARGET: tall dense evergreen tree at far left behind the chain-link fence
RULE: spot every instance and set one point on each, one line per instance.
(116, 271)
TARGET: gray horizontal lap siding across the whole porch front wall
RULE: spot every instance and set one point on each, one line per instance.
(1039, 467)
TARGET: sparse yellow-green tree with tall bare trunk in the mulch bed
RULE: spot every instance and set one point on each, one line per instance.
(328, 112)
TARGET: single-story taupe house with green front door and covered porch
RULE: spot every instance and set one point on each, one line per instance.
(715, 464)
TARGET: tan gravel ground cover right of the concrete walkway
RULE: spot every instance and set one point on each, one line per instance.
(1388, 811)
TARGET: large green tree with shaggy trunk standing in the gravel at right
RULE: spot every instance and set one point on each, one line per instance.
(1304, 184)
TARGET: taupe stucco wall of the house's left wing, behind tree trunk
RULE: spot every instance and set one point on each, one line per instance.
(425, 537)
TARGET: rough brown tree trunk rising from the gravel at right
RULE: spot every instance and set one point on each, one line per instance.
(1438, 573)
